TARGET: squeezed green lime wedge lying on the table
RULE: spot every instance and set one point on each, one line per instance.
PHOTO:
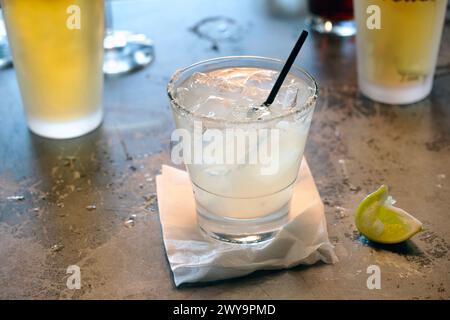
(378, 220)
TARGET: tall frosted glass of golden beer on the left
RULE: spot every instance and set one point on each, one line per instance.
(57, 48)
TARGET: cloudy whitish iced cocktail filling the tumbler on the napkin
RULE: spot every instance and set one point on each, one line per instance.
(247, 160)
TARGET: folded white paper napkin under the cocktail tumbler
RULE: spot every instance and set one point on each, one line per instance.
(194, 257)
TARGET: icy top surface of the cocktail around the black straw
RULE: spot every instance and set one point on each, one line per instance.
(238, 93)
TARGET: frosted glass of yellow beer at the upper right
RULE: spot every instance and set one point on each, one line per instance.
(397, 44)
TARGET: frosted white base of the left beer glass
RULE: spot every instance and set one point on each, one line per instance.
(66, 130)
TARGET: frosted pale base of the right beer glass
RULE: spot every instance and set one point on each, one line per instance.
(389, 95)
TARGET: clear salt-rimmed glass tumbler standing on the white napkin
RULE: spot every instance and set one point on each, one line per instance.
(238, 200)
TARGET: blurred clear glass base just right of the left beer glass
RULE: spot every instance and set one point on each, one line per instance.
(126, 52)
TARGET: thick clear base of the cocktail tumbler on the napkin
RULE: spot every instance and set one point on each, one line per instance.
(242, 231)
